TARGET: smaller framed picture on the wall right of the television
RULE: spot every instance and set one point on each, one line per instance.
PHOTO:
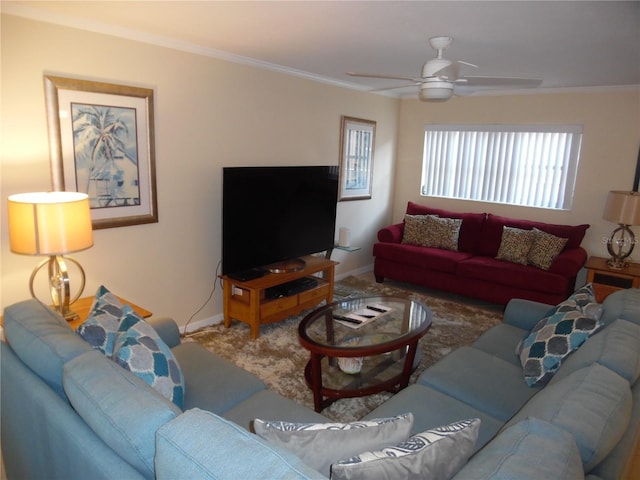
(357, 145)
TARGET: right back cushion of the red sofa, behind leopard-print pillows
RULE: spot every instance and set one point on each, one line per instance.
(489, 240)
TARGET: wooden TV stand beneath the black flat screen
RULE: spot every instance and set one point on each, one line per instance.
(246, 300)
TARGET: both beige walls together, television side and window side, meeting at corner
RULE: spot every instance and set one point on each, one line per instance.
(211, 113)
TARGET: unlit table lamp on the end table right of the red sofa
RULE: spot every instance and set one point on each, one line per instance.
(622, 208)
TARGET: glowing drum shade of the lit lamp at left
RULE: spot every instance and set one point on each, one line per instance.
(49, 223)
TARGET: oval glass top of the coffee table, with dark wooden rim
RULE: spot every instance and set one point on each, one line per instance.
(369, 323)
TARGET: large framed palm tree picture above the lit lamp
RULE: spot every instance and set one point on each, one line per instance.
(101, 142)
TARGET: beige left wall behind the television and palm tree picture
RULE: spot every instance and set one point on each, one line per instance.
(208, 114)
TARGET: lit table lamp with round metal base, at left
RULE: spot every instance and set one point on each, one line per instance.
(53, 224)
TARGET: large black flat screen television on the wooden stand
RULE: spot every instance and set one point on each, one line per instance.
(271, 216)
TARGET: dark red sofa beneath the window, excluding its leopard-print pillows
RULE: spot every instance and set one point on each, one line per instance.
(473, 269)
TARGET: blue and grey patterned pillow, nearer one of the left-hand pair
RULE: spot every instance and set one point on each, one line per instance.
(139, 349)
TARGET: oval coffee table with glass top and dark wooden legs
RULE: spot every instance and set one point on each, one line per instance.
(361, 346)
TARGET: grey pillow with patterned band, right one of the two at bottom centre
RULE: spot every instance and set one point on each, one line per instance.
(437, 454)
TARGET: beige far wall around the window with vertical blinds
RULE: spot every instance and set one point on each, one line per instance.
(611, 136)
